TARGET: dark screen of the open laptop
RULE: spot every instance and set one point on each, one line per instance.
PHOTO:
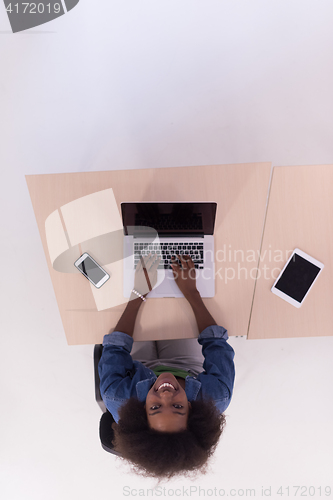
(170, 219)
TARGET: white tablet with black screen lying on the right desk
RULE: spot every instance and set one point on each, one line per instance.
(297, 278)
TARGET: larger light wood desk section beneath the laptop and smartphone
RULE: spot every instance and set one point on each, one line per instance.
(240, 192)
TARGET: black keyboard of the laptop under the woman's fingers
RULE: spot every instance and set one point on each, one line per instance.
(167, 250)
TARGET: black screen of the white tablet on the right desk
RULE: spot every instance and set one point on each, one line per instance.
(297, 277)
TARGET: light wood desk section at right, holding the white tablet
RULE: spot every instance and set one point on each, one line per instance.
(300, 215)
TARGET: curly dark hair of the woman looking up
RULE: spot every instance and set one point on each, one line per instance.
(159, 454)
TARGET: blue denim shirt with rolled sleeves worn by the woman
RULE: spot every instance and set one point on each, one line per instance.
(121, 377)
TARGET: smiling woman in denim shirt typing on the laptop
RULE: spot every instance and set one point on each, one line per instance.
(170, 396)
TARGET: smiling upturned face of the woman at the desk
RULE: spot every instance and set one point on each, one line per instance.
(167, 405)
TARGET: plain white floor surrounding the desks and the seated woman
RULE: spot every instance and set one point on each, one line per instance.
(143, 84)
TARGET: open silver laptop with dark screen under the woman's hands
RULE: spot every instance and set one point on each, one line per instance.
(166, 229)
